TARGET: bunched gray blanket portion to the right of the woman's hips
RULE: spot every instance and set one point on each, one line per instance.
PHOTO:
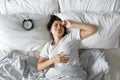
(96, 64)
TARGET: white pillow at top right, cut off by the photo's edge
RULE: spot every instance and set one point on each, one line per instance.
(90, 5)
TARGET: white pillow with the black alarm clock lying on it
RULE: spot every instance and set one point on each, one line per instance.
(14, 36)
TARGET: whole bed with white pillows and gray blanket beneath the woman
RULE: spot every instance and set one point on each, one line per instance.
(20, 48)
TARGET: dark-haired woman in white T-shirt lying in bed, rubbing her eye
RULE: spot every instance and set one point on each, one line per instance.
(60, 56)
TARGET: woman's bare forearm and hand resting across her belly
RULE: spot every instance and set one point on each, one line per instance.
(44, 63)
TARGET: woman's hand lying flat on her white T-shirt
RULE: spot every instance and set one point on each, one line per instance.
(60, 58)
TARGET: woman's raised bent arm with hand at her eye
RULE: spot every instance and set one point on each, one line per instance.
(85, 29)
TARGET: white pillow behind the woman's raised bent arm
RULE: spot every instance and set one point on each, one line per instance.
(108, 32)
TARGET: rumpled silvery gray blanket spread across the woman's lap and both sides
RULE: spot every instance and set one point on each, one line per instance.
(17, 66)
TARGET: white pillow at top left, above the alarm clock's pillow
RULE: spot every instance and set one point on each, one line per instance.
(29, 6)
